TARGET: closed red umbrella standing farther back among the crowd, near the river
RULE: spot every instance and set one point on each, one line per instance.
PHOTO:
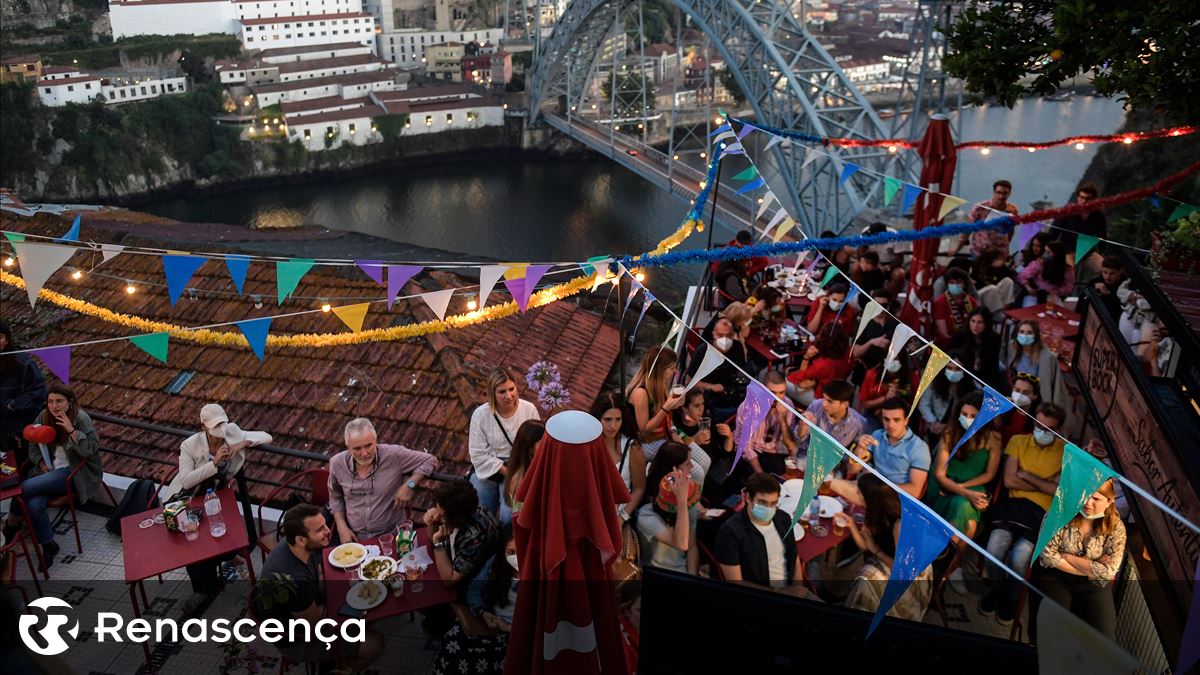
(939, 158)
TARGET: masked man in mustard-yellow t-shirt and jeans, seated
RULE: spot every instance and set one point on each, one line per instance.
(1033, 467)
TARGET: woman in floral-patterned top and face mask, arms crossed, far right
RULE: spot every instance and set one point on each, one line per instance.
(1079, 564)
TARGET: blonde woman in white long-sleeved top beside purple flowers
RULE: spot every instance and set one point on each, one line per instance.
(494, 427)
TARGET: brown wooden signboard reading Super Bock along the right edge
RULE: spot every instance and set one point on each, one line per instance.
(1144, 453)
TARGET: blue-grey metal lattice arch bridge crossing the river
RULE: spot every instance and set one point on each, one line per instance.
(788, 79)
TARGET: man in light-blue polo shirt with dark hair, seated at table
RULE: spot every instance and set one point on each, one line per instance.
(895, 451)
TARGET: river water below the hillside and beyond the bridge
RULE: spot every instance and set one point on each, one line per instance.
(572, 210)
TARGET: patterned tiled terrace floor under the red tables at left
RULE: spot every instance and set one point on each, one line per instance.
(94, 582)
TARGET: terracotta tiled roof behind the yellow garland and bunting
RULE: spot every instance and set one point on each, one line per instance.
(418, 392)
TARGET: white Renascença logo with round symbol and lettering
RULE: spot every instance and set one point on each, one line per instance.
(49, 641)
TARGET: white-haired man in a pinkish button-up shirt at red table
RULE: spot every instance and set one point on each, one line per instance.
(371, 483)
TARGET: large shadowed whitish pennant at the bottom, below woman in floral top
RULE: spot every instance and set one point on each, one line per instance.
(1067, 644)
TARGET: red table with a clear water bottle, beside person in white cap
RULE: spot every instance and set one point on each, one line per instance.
(154, 551)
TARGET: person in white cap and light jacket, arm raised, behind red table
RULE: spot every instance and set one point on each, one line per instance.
(207, 461)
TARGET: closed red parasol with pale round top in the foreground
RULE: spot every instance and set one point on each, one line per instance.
(568, 535)
